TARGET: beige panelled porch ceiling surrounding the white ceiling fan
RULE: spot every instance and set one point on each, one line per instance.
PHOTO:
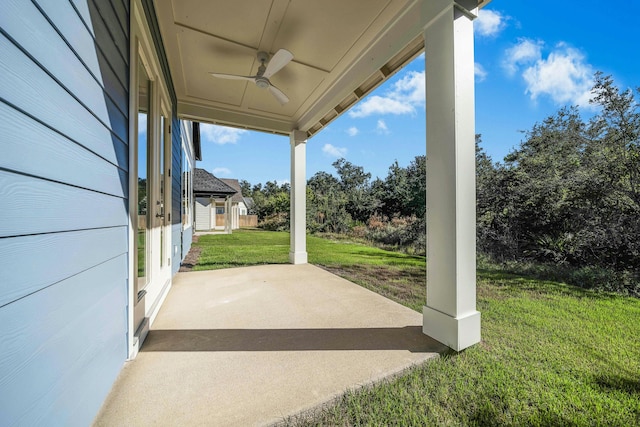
(342, 51)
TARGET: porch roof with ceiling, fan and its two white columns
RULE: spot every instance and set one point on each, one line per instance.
(329, 56)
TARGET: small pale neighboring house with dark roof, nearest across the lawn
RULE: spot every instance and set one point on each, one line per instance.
(214, 202)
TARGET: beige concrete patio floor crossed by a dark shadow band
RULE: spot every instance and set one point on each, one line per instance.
(250, 346)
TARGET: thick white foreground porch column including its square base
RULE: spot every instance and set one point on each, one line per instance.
(450, 315)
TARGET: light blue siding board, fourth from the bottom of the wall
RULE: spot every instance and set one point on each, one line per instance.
(49, 155)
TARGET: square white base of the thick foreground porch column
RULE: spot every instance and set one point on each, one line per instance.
(456, 333)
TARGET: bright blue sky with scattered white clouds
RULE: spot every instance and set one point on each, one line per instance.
(532, 58)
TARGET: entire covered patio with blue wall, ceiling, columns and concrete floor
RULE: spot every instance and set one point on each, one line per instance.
(93, 94)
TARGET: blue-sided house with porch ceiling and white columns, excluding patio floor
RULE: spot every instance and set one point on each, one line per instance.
(96, 167)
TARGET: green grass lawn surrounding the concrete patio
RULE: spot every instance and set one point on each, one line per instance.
(550, 354)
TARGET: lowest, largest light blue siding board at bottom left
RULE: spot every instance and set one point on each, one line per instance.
(60, 344)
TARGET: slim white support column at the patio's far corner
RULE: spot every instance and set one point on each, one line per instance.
(298, 212)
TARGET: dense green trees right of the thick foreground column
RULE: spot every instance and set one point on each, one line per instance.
(570, 192)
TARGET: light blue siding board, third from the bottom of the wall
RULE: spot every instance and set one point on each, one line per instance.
(39, 206)
